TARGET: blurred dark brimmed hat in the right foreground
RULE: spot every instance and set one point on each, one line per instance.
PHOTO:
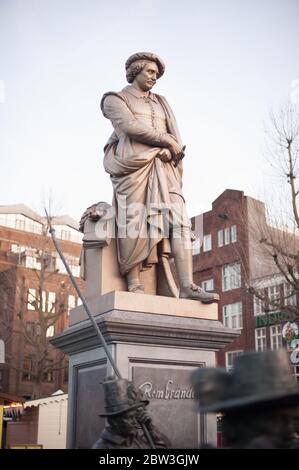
(258, 379)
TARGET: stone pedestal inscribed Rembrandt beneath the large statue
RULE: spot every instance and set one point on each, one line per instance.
(157, 342)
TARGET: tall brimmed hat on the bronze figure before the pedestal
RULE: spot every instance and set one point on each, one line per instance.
(119, 397)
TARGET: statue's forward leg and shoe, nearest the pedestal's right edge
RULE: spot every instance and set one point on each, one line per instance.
(181, 249)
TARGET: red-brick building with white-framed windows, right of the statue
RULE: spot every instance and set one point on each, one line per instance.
(228, 258)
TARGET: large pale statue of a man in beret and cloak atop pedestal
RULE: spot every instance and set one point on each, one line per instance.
(144, 159)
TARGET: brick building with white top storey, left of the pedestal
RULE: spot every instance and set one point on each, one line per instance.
(33, 280)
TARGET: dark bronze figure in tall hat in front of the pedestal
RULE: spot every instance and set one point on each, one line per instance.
(125, 411)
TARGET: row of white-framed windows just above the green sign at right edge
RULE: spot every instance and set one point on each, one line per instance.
(272, 297)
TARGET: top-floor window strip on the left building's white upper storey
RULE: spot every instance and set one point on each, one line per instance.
(21, 222)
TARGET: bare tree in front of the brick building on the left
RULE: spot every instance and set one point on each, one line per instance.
(28, 317)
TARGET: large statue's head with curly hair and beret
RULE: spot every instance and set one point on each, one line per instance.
(143, 69)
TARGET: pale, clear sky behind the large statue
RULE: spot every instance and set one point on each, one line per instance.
(228, 63)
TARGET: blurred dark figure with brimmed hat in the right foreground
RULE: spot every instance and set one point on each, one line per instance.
(259, 400)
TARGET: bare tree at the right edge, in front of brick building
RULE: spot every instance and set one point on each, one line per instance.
(276, 233)
